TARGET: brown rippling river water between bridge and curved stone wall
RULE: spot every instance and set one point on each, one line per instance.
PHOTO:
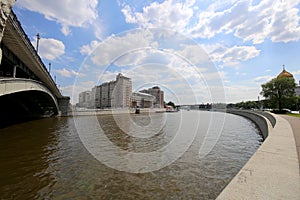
(50, 158)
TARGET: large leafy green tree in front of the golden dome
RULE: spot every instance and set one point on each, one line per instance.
(279, 91)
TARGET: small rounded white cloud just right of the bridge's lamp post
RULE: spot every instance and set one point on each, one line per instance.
(50, 48)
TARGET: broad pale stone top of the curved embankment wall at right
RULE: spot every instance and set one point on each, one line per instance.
(272, 172)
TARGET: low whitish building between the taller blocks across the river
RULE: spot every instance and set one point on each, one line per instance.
(143, 100)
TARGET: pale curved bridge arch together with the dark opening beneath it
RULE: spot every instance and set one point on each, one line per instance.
(25, 99)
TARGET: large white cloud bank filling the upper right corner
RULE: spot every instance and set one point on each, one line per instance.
(276, 20)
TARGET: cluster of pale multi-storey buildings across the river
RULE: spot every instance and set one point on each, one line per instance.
(118, 94)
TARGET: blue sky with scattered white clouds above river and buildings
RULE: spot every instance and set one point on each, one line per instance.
(196, 51)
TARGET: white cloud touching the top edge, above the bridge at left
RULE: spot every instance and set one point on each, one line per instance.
(68, 13)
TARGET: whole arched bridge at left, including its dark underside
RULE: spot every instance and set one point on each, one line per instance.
(27, 90)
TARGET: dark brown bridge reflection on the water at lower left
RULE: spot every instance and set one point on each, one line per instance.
(26, 154)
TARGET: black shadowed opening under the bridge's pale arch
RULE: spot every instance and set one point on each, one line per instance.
(24, 106)
